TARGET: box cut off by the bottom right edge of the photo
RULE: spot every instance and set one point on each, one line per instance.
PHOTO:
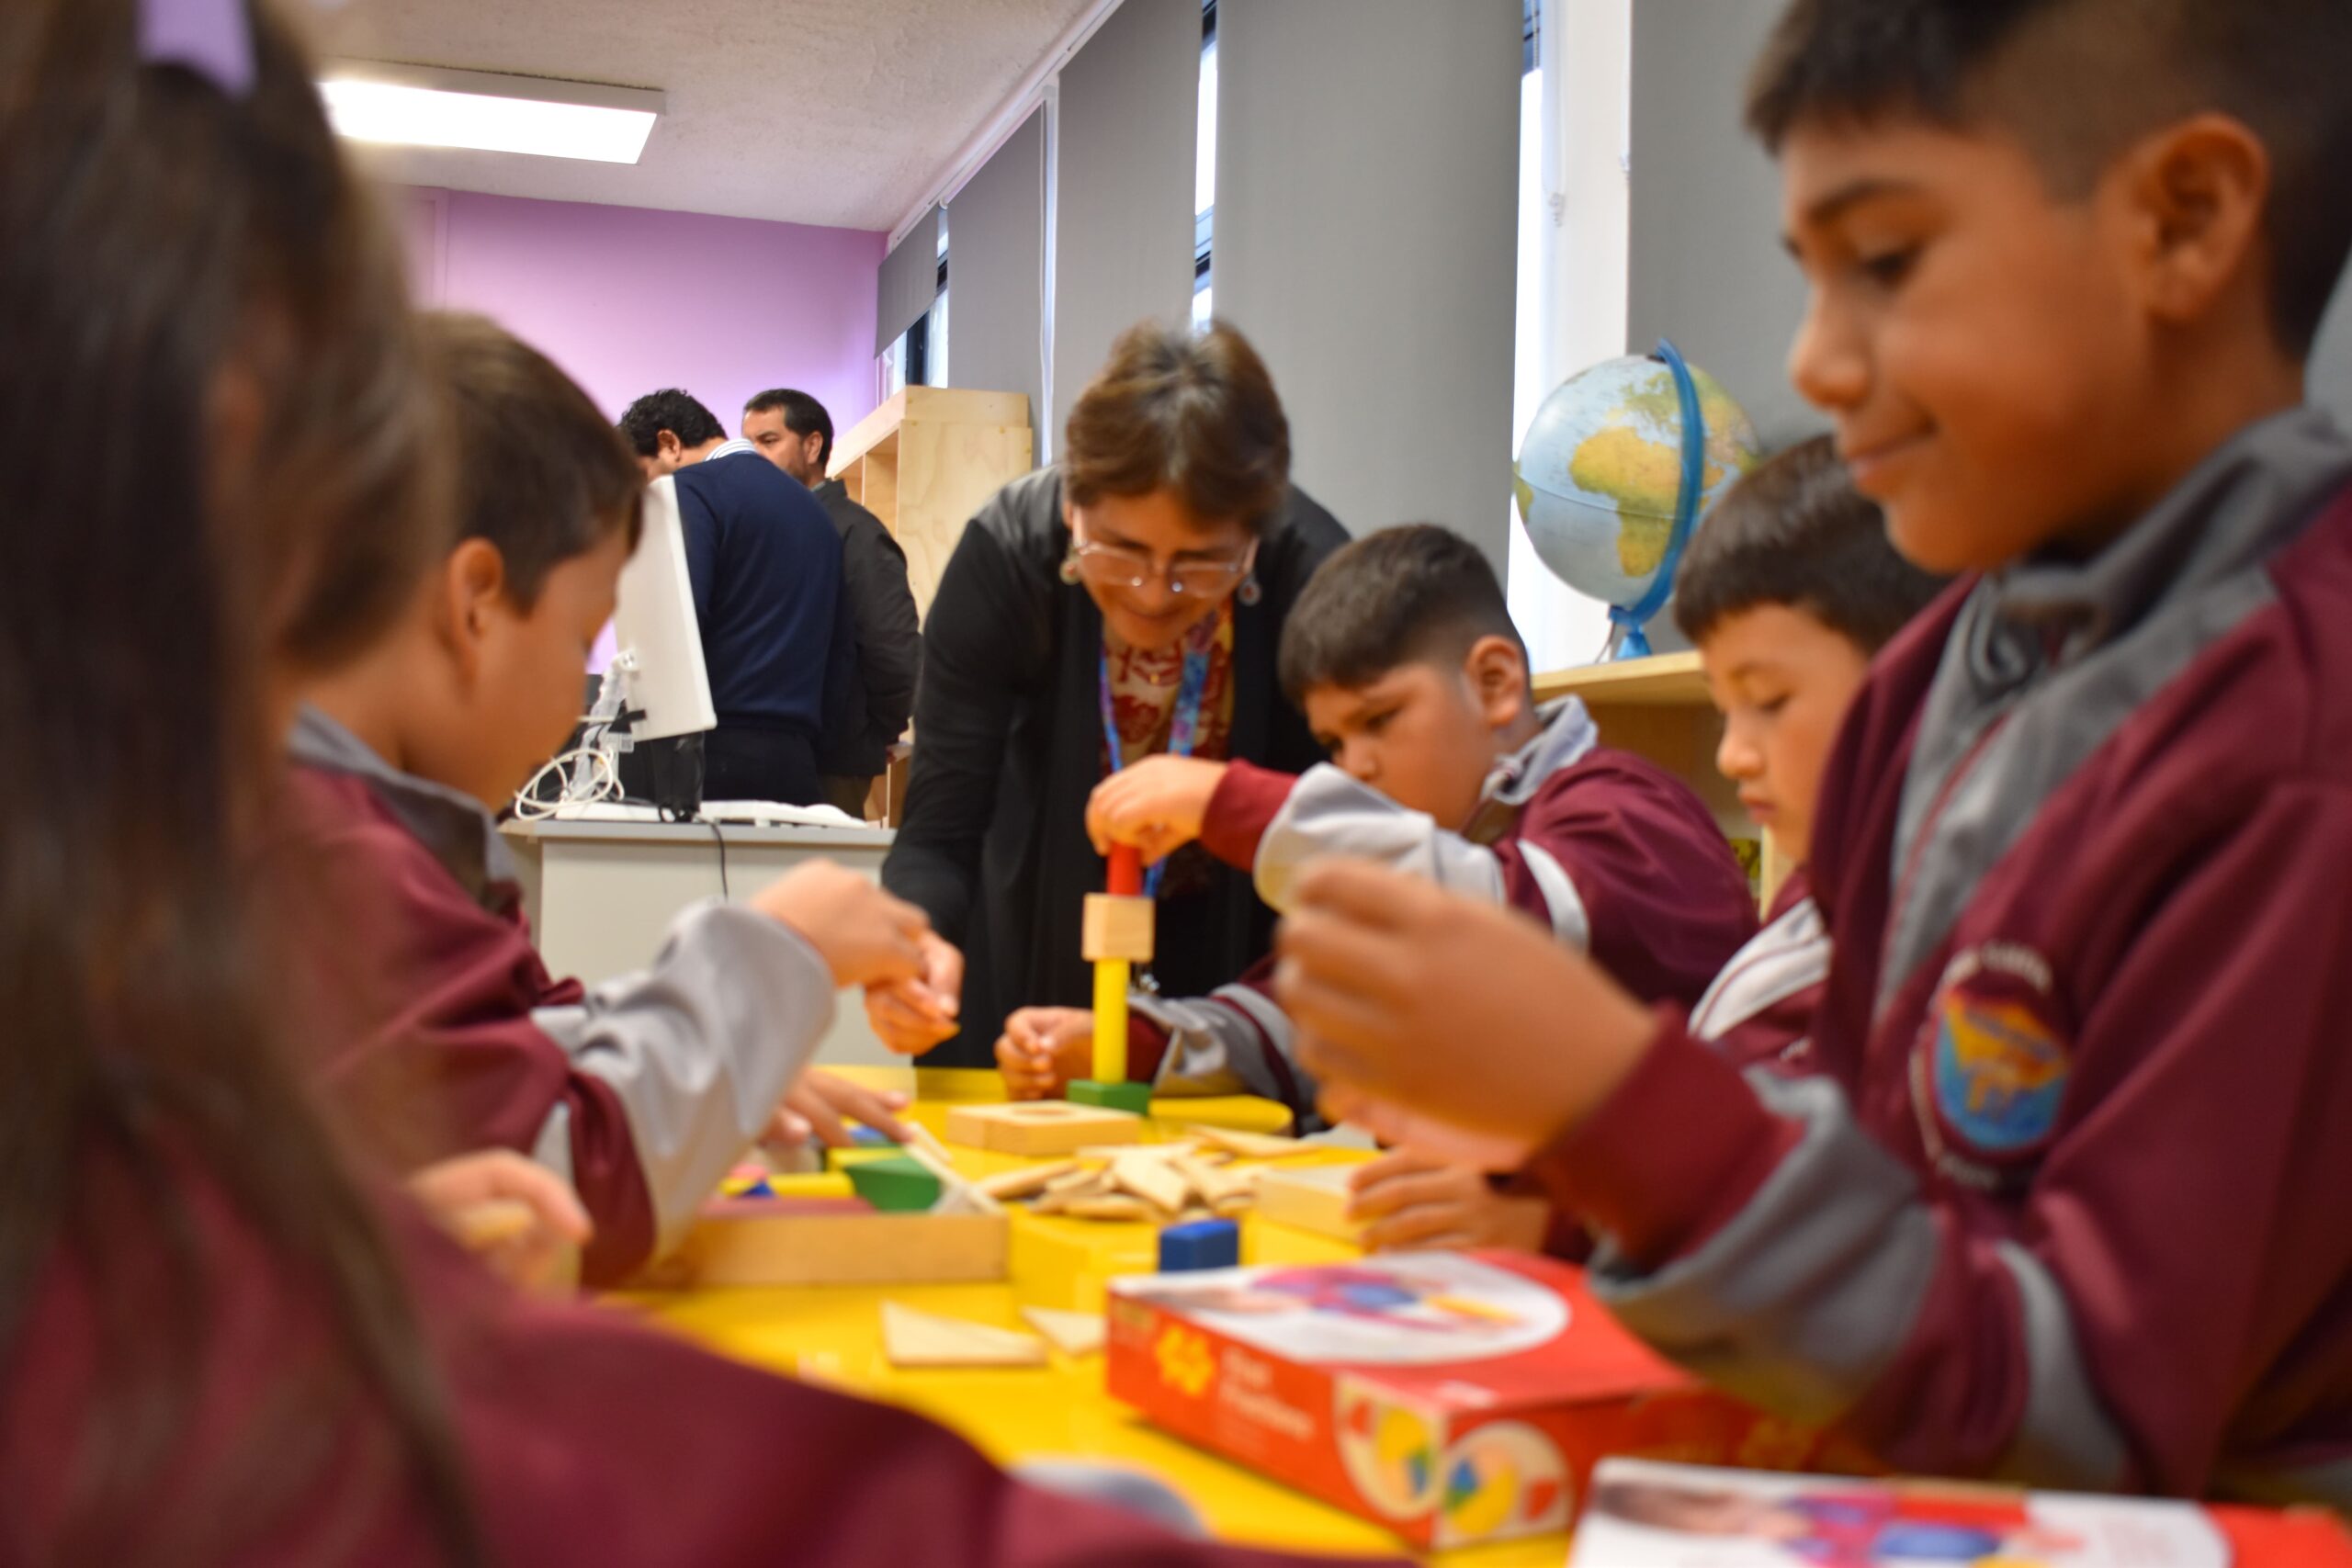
(1645, 1515)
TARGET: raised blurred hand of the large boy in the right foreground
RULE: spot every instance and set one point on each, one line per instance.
(1375, 965)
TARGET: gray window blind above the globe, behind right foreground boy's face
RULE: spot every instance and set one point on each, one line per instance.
(1704, 210)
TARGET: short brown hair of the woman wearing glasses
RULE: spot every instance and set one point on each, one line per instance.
(1187, 413)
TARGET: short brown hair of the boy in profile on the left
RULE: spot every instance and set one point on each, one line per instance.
(540, 474)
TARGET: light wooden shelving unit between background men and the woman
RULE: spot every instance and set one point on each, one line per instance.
(926, 462)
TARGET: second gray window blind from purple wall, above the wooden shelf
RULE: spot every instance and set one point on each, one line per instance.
(996, 272)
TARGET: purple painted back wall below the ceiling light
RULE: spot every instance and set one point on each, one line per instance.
(632, 300)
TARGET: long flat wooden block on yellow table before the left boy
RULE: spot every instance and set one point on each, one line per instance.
(761, 1242)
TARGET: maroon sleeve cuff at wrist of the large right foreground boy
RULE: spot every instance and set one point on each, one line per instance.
(1676, 1151)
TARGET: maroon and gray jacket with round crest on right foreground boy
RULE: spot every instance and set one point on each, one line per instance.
(2064, 1193)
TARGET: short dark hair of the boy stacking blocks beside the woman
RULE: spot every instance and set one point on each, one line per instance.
(1403, 596)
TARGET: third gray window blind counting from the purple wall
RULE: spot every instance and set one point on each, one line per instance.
(1123, 201)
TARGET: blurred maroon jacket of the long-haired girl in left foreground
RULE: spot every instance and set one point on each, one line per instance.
(584, 1440)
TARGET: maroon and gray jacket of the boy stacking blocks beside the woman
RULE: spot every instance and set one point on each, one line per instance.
(1615, 855)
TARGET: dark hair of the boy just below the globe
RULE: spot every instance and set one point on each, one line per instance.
(1796, 532)
